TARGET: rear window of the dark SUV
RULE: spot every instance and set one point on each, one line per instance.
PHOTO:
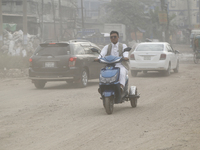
(52, 50)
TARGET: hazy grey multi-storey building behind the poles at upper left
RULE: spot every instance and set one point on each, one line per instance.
(51, 20)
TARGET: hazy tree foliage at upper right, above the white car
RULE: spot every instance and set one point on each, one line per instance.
(132, 13)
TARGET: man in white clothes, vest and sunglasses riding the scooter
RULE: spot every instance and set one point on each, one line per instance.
(116, 49)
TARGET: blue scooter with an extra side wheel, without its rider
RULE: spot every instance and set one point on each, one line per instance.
(109, 86)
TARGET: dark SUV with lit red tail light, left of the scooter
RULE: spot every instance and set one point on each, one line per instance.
(70, 61)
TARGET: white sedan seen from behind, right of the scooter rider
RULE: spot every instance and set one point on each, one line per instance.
(154, 56)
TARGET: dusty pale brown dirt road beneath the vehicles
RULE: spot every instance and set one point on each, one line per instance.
(61, 117)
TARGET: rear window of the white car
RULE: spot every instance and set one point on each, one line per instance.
(150, 47)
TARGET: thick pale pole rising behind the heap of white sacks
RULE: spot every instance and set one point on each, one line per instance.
(25, 23)
